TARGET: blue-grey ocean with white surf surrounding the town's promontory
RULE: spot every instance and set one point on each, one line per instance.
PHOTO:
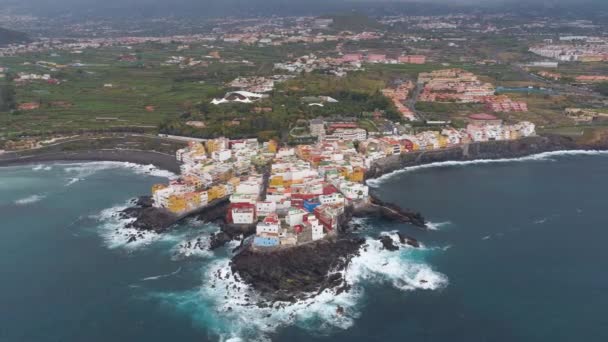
(514, 254)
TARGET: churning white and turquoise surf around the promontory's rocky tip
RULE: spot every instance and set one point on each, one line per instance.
(228, 306)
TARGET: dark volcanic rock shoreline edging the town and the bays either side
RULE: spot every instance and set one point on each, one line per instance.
(295, 273)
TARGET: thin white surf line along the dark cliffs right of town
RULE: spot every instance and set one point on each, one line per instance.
(545, 156)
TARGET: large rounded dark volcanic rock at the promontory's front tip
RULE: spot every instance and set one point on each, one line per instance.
(289, 274)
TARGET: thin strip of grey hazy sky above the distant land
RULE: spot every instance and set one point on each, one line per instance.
(260, 7)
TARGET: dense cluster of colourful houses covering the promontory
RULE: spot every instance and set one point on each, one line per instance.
(296, 195)
